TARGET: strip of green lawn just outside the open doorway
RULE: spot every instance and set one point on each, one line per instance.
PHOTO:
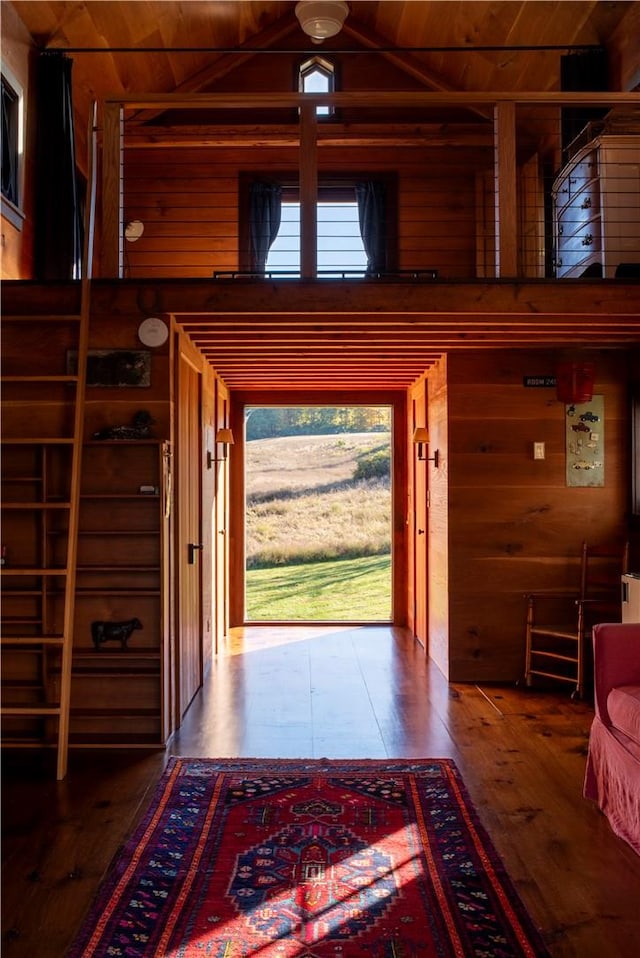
(343, 589)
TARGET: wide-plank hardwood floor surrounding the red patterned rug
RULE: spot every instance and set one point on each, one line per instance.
(339, 692)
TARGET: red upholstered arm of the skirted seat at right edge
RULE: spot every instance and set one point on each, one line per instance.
(616, 660)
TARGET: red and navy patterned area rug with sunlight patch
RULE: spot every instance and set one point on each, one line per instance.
(309, 858)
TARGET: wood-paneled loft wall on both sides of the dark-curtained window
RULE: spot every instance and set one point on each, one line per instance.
(189, 201)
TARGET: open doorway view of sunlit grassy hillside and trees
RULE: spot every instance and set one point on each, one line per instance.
(318, 513)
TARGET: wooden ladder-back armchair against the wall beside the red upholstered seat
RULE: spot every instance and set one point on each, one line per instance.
(559, 622)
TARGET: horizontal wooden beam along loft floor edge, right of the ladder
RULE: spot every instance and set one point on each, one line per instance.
(542, 302)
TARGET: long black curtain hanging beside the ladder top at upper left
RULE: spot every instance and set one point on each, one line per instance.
(58, 235)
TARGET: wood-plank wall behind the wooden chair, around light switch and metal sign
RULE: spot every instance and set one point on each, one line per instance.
(513, 525)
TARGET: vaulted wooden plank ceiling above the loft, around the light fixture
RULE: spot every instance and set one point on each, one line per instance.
(182, 42)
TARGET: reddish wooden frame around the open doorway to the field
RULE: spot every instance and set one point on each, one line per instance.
(397, 400)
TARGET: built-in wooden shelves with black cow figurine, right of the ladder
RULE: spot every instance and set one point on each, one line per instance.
(117, 696)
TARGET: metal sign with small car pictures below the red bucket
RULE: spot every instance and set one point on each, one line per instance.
(584, 424)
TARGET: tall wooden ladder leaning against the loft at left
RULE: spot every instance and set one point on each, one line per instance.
(43, 375)
